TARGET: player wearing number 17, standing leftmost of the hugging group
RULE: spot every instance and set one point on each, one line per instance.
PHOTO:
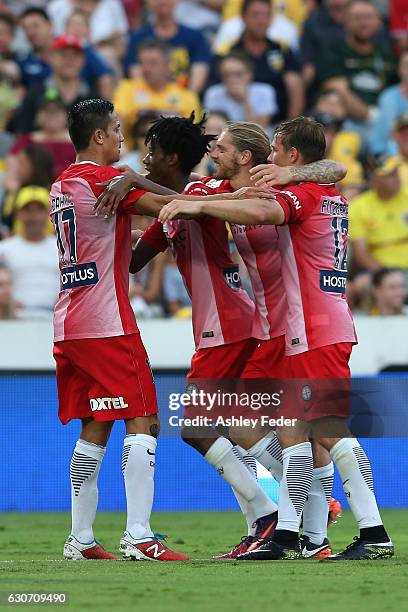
(103, 372)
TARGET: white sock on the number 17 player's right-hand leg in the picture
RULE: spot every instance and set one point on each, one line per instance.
(138, 461)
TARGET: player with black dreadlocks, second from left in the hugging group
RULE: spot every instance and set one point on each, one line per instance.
(223, 336)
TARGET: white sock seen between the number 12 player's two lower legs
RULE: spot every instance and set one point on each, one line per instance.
(317, 504)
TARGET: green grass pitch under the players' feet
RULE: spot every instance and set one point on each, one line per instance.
(30, 561)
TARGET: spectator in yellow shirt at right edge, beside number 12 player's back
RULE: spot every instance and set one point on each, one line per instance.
(379, 222)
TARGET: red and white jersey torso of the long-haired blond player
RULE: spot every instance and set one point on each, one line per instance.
(258, 247)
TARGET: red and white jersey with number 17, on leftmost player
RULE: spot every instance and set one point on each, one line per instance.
(94, 256)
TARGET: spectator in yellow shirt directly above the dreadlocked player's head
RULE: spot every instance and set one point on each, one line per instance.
(154, 90)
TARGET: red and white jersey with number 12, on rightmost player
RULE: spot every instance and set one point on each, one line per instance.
(313, 245)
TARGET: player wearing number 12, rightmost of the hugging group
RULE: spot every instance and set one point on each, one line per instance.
(313, 229)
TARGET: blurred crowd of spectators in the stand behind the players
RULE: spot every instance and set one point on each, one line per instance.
(344, 62)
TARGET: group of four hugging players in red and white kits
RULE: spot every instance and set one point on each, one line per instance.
(293, 240)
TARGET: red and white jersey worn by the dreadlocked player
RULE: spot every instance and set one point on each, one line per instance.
(222, 310)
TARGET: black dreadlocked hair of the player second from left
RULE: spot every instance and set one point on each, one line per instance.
(183, 137)
